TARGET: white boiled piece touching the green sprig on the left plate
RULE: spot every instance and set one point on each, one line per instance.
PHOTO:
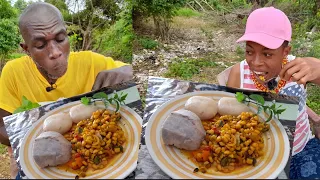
(81, 112)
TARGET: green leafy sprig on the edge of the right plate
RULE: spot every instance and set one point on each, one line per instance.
(272, 110)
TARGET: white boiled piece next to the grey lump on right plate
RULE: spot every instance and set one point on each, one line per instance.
(204, 107)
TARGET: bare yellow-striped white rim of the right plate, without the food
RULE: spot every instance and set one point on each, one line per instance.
(174, 163)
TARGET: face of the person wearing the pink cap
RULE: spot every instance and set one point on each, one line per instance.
(263, 61)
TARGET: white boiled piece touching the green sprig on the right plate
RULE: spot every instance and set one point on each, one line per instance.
(231, 106)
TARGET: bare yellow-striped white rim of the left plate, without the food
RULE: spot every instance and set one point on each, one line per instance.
(121, 167)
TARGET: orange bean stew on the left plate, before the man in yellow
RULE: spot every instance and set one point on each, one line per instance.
(95, 141)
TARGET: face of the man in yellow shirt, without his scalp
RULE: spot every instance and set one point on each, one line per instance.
(48, 45)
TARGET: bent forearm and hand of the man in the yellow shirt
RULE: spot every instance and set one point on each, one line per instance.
(112, 77)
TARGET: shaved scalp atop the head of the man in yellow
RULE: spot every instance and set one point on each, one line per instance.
(39, 13)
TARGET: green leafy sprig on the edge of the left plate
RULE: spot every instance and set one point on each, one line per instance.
(117, 99)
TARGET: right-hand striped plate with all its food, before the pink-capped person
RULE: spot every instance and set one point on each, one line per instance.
(209, 134)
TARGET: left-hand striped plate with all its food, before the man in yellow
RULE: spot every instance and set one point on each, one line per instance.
(79, 140)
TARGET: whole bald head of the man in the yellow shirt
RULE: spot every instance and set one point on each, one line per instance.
(45, 38)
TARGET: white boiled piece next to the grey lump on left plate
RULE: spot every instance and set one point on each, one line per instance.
(60, 123)
